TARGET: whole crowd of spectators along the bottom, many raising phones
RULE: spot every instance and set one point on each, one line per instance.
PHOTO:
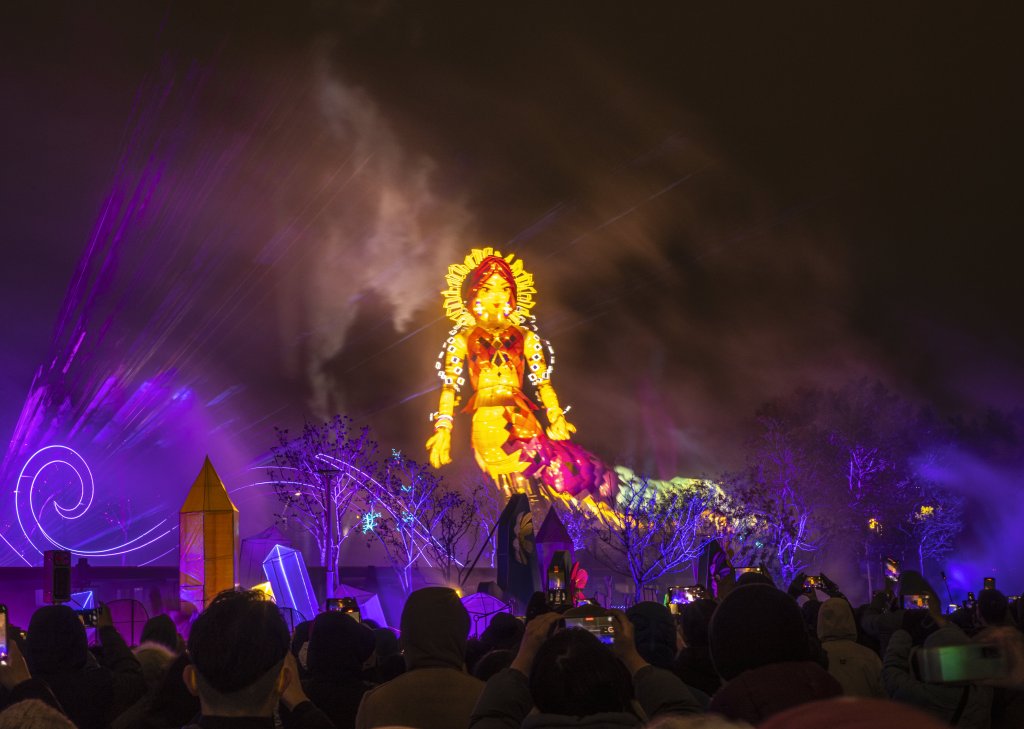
(755, 657)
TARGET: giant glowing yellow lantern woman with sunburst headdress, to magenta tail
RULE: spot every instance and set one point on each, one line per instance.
(494, 350)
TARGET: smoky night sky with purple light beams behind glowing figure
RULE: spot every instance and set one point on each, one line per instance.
(718, 206)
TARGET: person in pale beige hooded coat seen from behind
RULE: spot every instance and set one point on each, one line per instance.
(858, 669)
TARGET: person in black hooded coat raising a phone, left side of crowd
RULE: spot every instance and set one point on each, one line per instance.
(58, 652)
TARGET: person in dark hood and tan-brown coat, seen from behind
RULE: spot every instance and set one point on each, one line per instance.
(436, 693)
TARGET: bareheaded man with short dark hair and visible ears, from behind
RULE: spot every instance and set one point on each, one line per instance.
(241, 667)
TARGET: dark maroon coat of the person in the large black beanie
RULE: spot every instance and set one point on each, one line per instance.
(759, 694)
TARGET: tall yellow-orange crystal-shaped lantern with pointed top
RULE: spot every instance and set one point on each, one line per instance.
(208, 540)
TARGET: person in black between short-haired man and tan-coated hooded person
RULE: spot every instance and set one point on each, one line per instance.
(339, 648)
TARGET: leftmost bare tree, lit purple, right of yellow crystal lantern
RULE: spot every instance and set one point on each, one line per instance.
(319, 477)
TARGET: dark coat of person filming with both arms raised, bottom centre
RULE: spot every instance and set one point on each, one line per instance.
(506, 704)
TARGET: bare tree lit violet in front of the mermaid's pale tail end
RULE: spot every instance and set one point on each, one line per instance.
(659, 532)
